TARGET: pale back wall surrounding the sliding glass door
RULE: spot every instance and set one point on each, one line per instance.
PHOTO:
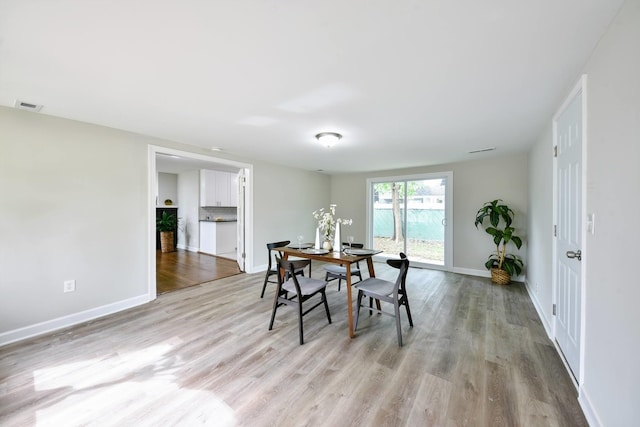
(474, 182)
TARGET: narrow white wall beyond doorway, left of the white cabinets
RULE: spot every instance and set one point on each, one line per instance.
(189, 194)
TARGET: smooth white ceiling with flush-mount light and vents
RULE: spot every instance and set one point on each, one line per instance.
(406, 82)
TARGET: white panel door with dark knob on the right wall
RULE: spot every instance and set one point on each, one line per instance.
(569, 233)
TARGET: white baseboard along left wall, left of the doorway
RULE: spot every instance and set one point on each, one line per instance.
(70, 320)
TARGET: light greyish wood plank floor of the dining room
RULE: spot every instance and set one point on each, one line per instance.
(477, 356)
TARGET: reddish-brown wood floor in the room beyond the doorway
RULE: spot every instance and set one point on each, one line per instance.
(182, 269)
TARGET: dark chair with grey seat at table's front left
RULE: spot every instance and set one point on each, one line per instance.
(301, 289)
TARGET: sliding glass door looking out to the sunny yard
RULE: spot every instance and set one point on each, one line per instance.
(412, 215)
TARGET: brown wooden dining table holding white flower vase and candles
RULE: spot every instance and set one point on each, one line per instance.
(340, 258)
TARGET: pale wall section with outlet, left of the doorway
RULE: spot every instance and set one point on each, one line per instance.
(74, 206)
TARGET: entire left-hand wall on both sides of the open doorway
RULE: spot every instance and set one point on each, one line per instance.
(76, 205)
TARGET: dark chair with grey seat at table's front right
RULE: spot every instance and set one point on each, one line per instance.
(386, 291)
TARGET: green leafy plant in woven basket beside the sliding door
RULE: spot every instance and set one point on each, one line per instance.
(501, 264)
